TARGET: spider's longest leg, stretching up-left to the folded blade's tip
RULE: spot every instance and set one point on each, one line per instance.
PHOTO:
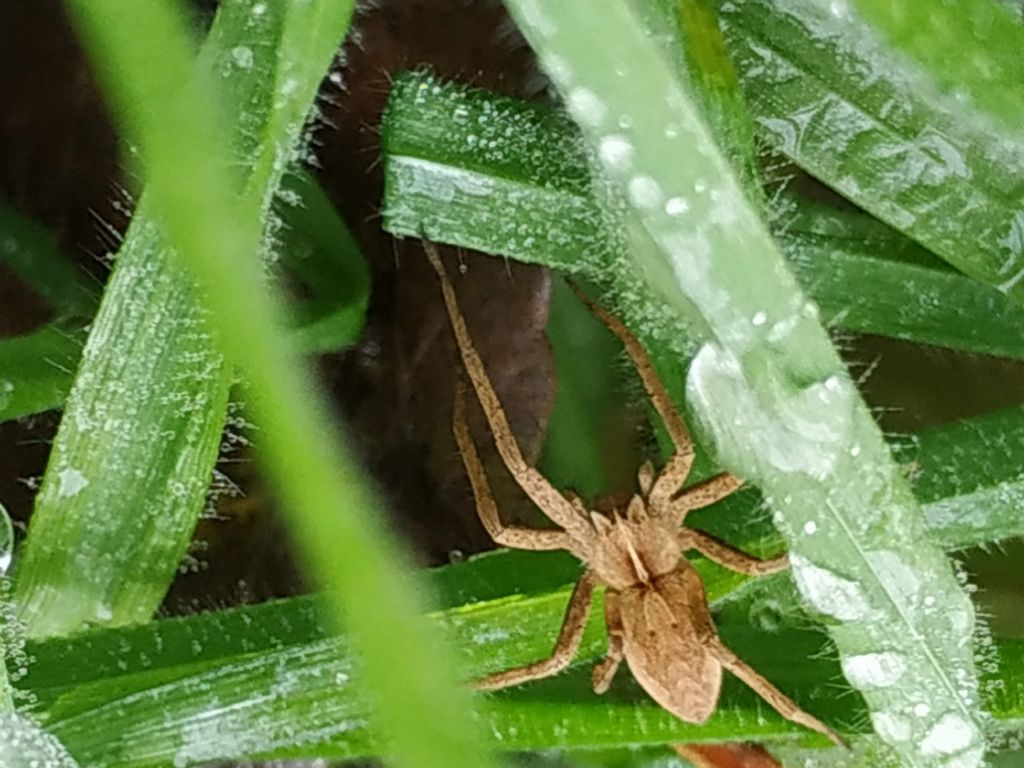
(542, 493)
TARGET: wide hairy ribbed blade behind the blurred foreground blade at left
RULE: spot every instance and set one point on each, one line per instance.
(131, 467)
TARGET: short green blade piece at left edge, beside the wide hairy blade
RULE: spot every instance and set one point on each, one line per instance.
(38, 370)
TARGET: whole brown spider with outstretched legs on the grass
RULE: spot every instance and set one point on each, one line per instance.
(656, 608)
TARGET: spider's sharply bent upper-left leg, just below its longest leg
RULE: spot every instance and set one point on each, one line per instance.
(487, 509)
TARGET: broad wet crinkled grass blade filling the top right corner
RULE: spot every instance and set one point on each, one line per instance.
(845, 108)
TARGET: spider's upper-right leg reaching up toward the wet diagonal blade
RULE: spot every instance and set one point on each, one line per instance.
(678, 466)
